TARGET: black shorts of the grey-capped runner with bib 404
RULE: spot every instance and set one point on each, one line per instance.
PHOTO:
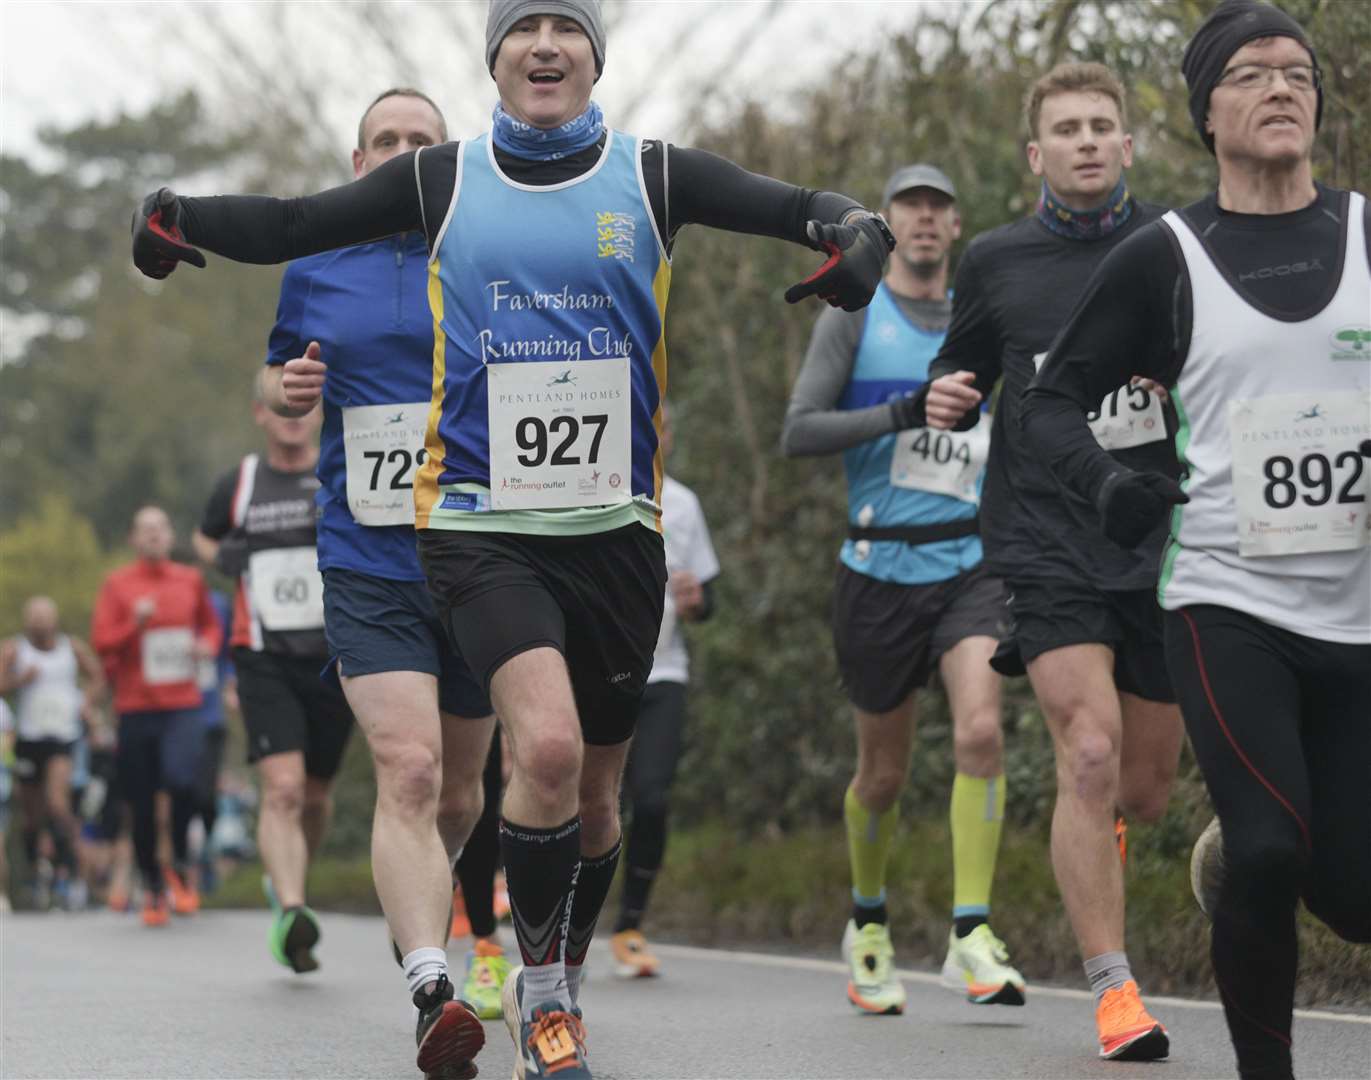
(889, 638)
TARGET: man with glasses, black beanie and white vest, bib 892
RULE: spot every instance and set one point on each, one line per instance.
(1251, 305)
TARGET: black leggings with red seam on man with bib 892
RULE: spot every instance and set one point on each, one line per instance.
(1281, 726)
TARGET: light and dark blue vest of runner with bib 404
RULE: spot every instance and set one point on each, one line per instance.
(893, 360)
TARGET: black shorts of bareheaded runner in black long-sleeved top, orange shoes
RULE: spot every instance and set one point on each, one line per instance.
(1058, 613)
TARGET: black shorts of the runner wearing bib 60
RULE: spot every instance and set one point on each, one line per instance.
(289, 707)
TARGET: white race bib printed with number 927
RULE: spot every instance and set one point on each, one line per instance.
(561, 434)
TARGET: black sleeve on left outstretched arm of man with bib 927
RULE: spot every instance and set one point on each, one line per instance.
(260, 230)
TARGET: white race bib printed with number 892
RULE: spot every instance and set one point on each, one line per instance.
(1299, 478)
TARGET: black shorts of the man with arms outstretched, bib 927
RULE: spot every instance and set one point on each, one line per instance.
(597, 600)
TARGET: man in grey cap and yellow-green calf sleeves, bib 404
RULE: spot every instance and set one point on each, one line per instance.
(912, 596)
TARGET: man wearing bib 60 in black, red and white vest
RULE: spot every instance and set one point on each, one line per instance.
(258, 528)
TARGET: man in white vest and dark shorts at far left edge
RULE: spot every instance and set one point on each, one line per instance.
(45, 670)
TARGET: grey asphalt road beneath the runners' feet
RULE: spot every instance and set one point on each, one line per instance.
(98, 996)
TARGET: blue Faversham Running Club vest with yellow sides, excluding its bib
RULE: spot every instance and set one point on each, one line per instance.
(571, 273)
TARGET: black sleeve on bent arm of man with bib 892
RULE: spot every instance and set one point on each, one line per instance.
(1129, 321)
